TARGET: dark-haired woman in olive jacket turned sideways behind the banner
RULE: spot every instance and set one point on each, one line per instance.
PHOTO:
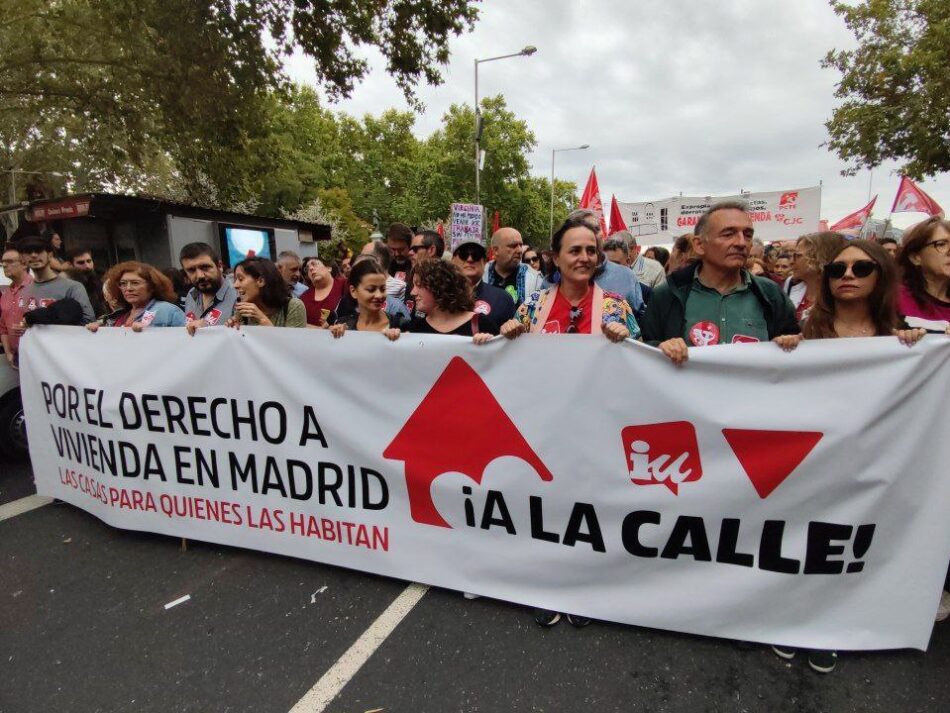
(265, 298)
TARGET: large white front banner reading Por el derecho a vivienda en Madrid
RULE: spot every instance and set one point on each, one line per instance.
(753, 494)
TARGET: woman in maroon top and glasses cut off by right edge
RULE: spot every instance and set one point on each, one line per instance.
(925, 266)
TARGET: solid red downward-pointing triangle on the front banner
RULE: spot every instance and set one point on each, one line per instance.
(769, 457)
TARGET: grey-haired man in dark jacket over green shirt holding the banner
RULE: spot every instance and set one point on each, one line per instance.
(716, 300)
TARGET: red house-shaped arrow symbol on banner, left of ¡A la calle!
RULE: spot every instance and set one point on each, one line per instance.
(459, 427)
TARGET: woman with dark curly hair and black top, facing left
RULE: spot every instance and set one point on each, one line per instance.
(444, 296)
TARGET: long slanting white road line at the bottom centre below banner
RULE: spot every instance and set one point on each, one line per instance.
(332, 682)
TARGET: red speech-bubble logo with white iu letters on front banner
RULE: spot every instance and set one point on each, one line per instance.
(662, 454)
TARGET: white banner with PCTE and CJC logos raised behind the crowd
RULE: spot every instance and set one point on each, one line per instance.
(776, 215)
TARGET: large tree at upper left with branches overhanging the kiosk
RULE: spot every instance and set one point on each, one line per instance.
(109, 87)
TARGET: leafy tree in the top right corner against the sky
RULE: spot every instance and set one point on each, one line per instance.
(895, 86)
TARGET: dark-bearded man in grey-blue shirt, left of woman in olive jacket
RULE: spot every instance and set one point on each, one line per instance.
(211, 299)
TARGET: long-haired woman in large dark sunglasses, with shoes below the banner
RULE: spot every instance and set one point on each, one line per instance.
(856, 298)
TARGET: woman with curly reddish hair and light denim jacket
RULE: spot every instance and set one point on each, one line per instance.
(143, 296)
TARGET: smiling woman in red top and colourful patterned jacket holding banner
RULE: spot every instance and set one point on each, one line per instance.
(575, 305)
